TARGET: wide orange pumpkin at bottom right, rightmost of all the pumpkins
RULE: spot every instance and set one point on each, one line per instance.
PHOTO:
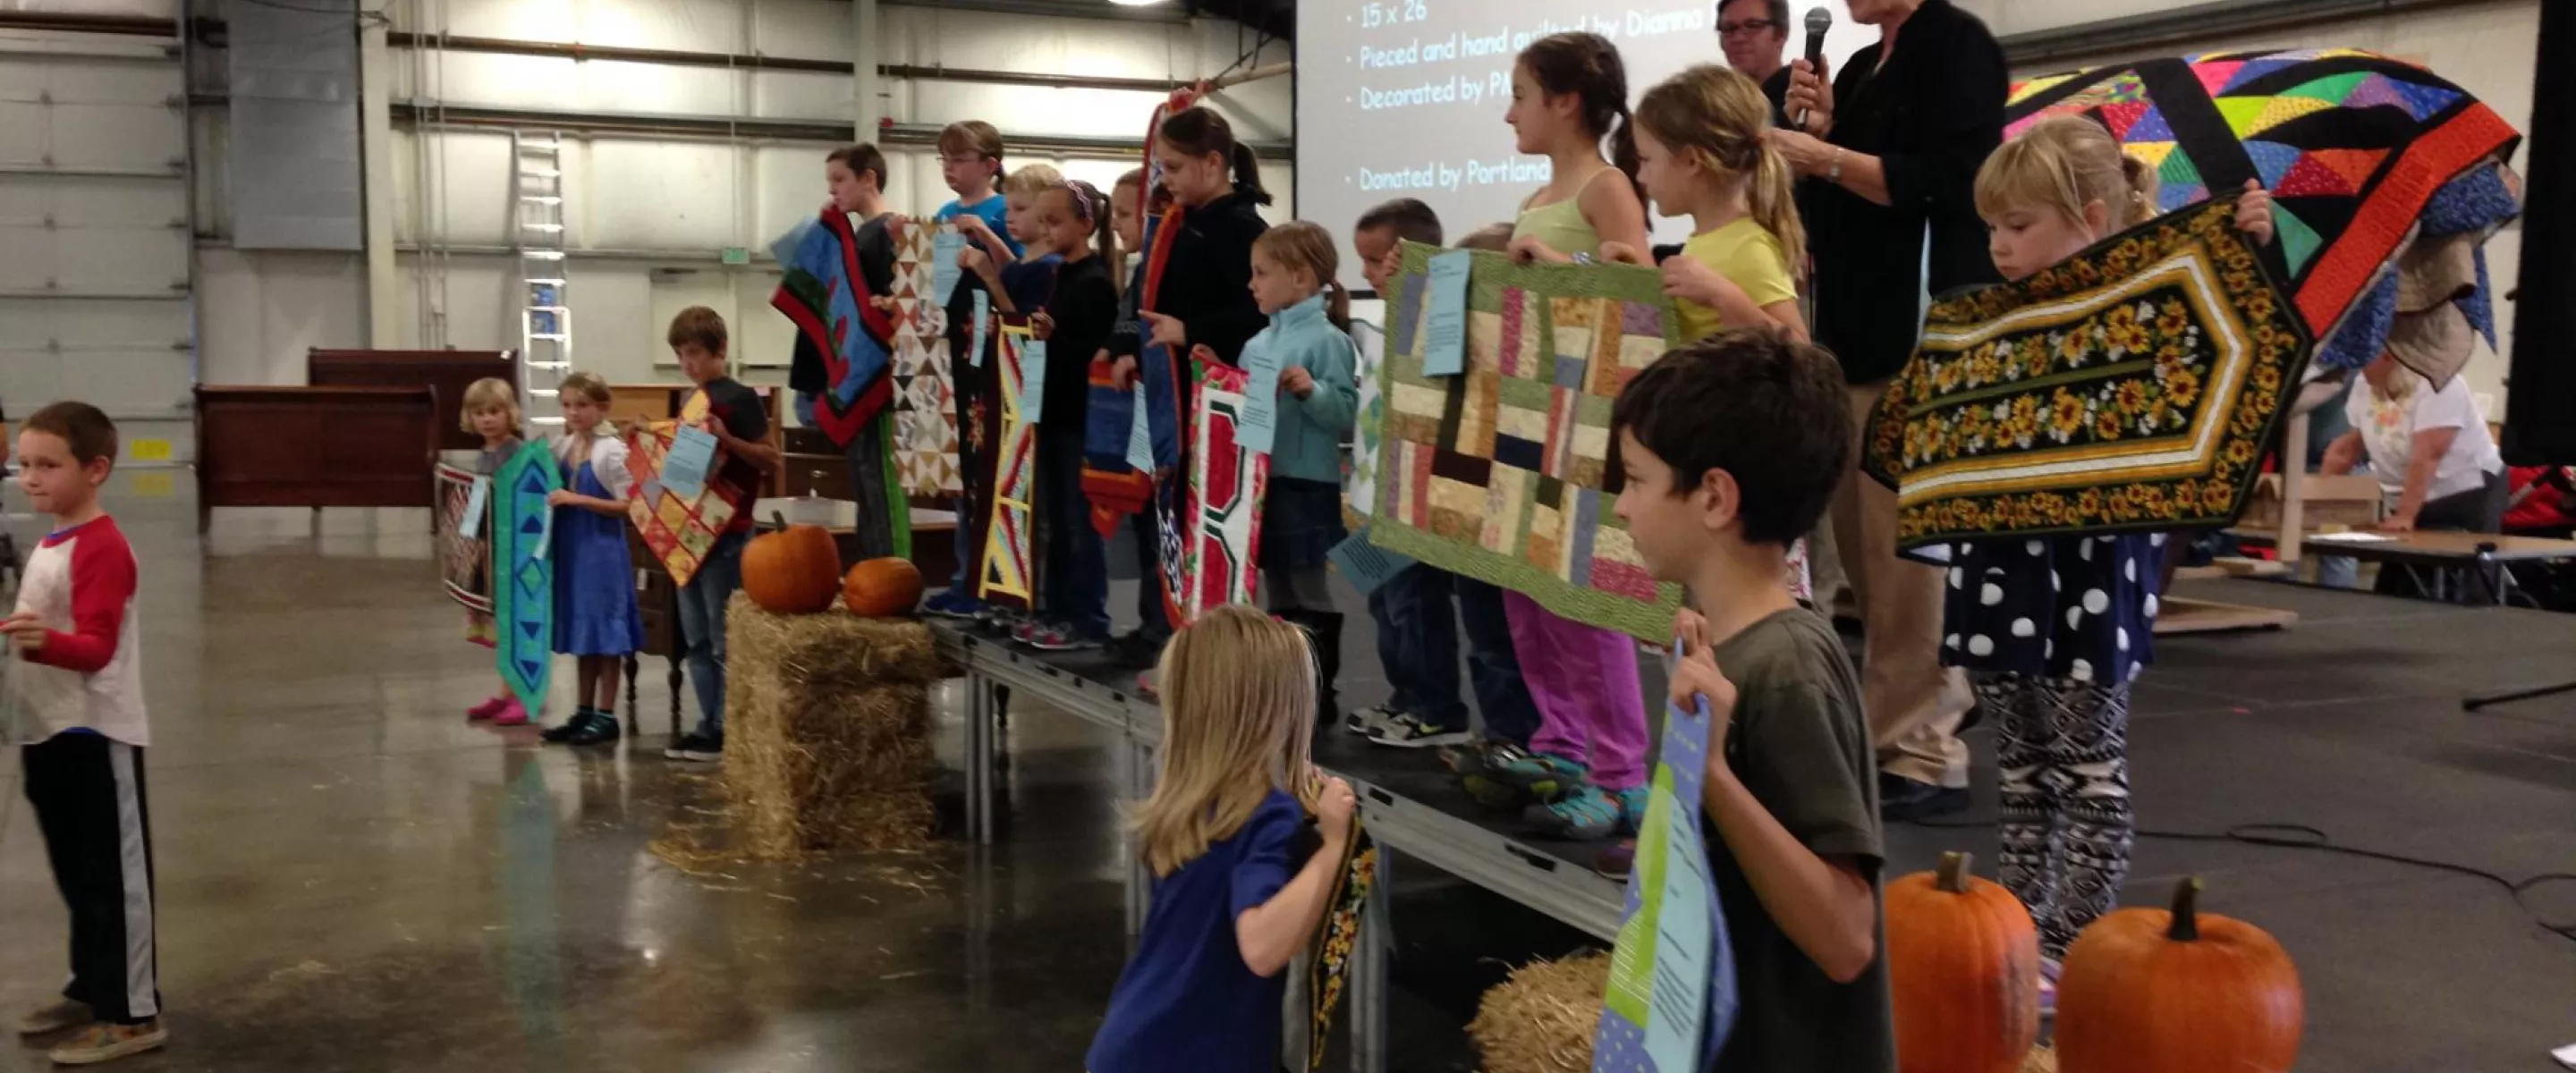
(2157, 992)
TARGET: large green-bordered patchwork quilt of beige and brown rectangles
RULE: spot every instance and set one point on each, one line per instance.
(1503, 472)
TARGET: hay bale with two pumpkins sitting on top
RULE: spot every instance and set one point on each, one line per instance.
(828, 732)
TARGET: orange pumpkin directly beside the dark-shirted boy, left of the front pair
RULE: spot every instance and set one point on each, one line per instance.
(1964, 971)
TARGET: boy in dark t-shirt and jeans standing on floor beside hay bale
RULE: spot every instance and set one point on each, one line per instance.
(743, 428)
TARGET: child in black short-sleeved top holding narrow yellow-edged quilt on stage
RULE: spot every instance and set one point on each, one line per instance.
(1073, 220)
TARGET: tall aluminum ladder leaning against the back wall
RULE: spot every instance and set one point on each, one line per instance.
(545, 323)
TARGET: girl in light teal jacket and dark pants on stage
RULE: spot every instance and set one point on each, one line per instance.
(1294, 279)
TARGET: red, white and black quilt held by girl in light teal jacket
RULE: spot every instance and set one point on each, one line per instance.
(1222, 508)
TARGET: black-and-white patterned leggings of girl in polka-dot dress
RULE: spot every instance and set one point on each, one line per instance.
(2062, 747)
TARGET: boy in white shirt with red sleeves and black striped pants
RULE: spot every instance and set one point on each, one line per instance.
(79, 709)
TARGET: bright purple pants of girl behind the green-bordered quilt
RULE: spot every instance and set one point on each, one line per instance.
(1583, 681)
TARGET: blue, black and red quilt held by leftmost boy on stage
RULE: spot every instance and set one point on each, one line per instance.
(828, 300)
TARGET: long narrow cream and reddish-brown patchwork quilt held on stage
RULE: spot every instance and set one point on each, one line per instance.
(926, 423)
